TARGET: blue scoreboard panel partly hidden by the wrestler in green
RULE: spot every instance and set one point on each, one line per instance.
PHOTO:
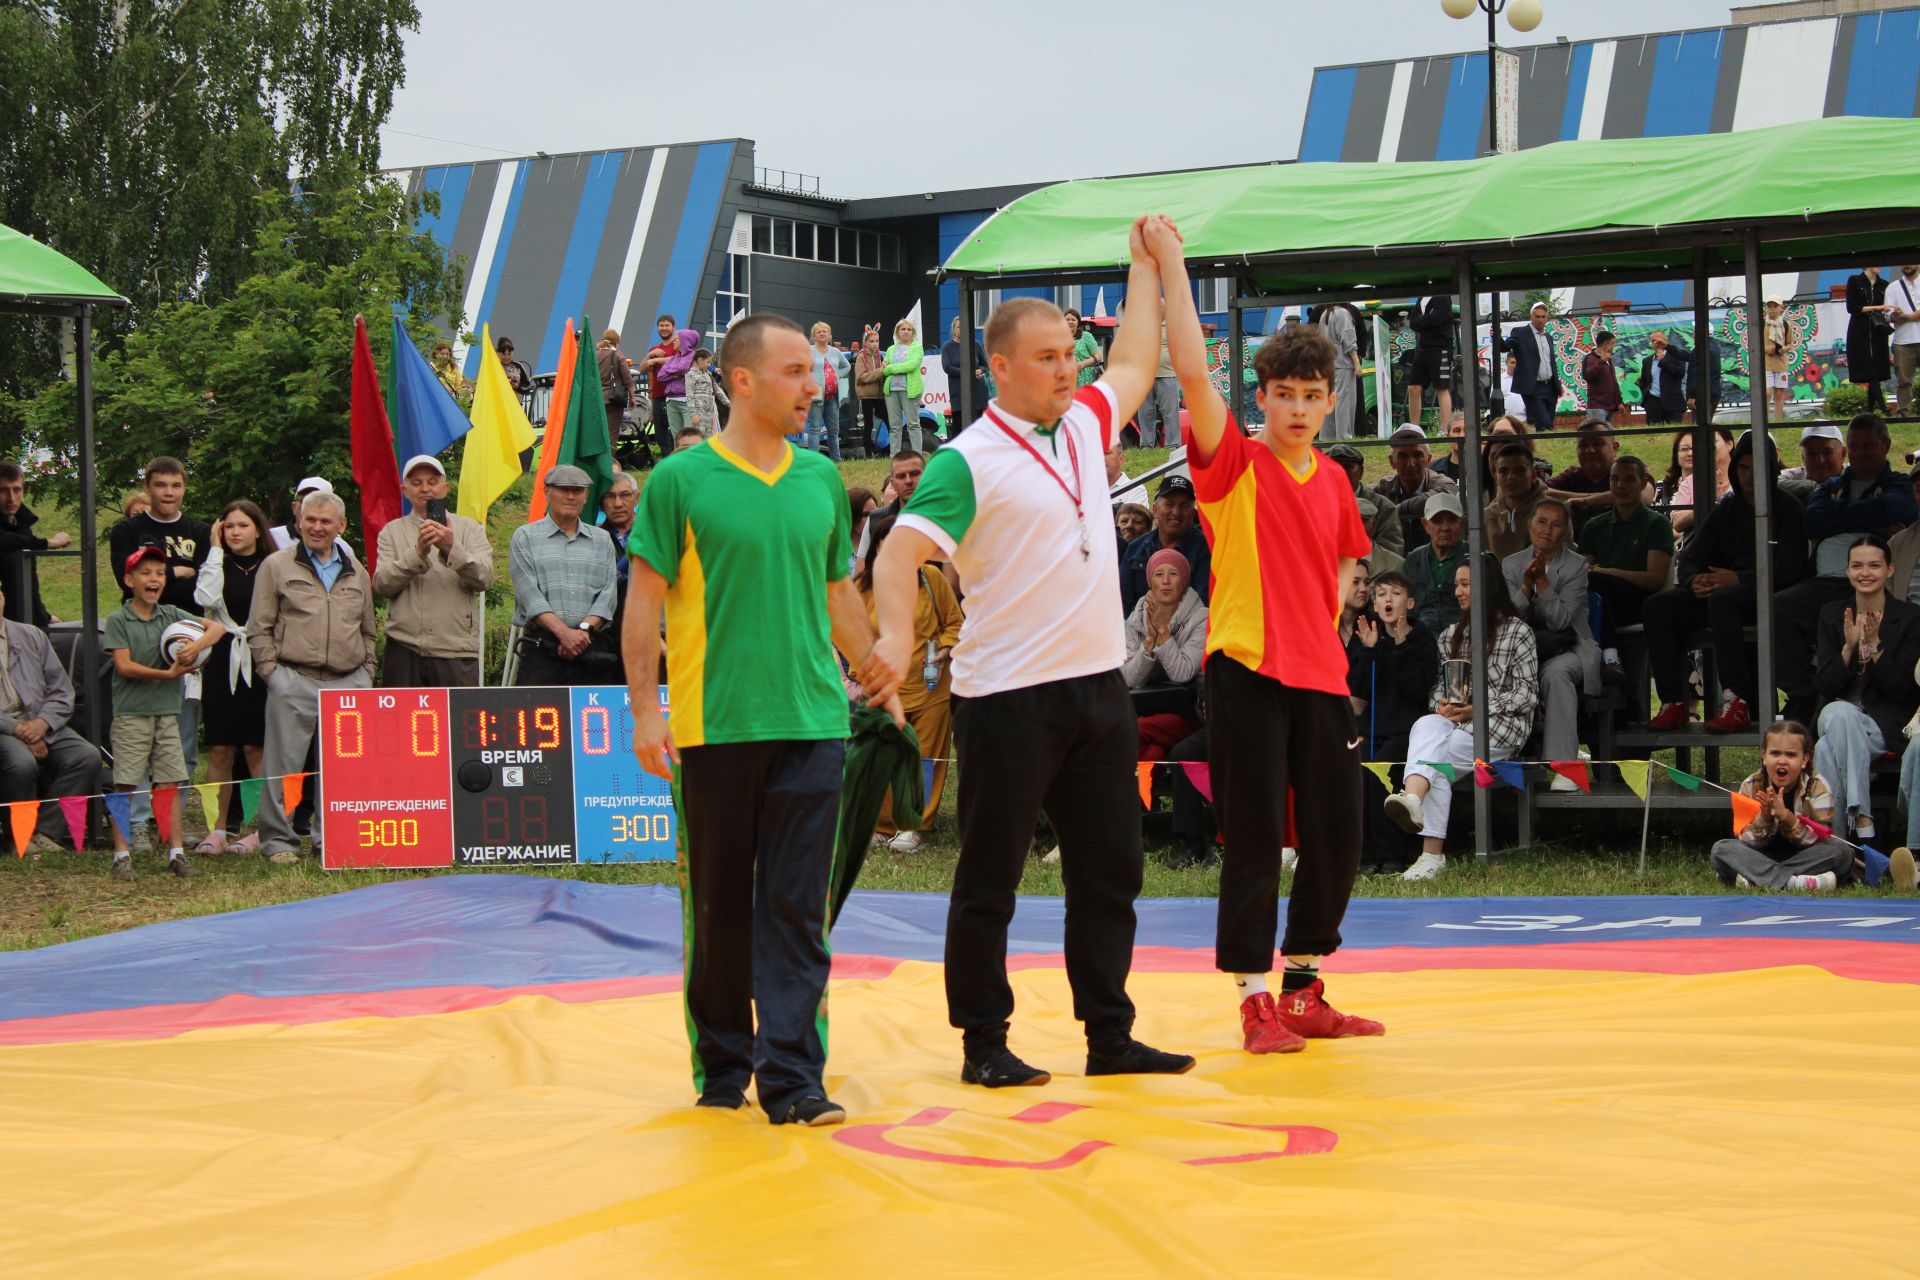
(623, 813)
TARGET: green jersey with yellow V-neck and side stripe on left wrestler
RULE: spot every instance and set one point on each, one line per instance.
(748, 557)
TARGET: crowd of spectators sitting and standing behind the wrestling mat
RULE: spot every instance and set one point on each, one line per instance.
(1595, 579)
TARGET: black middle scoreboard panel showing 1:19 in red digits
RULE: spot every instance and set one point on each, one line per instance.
(514, 778)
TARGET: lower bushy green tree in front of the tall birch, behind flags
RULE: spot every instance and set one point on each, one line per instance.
(252, 391)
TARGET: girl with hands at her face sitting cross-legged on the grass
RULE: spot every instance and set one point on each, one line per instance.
(1781, 847)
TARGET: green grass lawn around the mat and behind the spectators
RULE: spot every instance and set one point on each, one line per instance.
(66, 897)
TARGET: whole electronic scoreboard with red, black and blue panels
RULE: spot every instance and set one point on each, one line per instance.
(439, 778)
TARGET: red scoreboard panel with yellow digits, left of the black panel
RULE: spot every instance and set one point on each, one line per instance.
(387, 797)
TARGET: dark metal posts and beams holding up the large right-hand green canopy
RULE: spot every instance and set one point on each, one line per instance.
(1694, 252)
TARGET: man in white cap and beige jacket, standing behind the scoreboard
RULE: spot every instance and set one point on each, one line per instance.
(437, 567)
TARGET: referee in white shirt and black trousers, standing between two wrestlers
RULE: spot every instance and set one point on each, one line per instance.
(1042, 715)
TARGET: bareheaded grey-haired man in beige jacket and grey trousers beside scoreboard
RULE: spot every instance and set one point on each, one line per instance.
(310, 630)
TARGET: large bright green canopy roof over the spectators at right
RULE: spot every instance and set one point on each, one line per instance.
(1307, 227)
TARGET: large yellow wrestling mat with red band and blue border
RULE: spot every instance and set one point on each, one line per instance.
(487, 1076)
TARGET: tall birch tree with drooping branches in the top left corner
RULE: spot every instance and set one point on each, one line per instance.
(135, 135)
